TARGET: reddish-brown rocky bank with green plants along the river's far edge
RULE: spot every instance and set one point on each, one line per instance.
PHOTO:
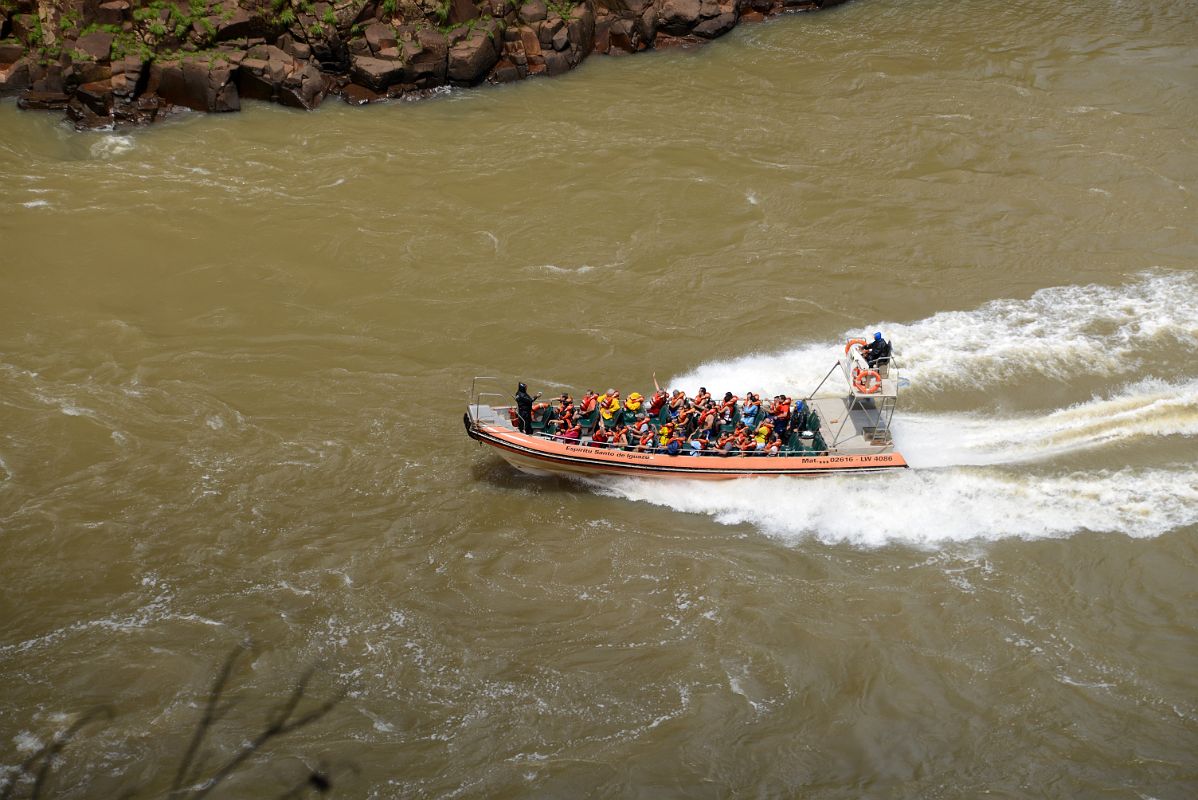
(113, 63)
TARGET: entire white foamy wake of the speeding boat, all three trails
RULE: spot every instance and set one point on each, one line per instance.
(985, 476)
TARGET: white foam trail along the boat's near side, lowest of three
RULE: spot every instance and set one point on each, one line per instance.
(935, 507)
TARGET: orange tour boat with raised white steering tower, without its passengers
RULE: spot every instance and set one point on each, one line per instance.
(831, 434)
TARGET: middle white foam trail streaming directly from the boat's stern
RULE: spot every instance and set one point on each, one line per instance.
(1145, 410)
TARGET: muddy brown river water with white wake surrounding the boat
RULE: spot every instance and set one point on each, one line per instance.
(234, 354)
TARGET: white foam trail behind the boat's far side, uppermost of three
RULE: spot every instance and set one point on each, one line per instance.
(999, 342)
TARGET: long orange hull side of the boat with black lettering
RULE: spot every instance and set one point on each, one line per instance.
(540, 456)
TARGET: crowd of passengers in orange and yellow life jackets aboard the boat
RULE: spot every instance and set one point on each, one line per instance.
(698, 426)
